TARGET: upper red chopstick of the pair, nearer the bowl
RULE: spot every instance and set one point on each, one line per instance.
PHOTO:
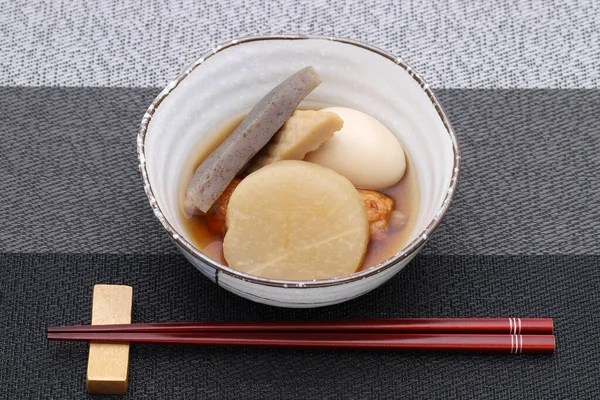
(515, 326)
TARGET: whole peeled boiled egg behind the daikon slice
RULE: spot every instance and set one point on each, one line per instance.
(364, 151)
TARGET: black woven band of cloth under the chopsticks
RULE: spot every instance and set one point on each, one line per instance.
(41, 290)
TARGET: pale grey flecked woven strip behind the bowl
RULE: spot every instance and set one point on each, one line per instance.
(472, 44)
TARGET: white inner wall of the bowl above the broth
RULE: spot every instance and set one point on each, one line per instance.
(231, 81)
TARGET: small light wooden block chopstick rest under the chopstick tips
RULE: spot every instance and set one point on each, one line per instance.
(108, 363)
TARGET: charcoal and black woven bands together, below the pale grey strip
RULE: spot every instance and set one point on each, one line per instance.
(521, 239)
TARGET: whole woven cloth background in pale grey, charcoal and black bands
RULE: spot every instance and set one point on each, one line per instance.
(520, 81)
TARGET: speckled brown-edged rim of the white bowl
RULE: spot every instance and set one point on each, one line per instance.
(403, 254)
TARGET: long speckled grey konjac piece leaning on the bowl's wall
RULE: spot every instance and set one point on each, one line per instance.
(268, 115)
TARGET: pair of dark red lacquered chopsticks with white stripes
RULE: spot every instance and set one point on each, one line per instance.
(497, 335)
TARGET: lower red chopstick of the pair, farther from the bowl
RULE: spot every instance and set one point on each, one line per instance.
(499, 343)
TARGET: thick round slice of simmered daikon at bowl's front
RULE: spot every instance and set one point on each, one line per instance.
(297, 221)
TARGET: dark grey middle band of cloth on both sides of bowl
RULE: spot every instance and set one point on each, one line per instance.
(69, 179)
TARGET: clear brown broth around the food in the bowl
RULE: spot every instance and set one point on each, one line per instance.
(405, 195)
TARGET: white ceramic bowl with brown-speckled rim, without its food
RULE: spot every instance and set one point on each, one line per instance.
(232, 77)
